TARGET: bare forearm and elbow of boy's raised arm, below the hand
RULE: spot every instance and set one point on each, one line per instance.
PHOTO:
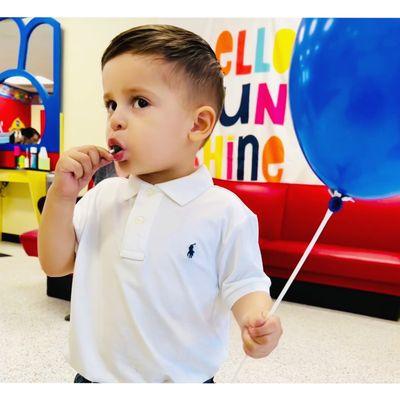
(56, 237)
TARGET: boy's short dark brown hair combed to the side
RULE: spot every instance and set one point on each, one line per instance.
(188, 51)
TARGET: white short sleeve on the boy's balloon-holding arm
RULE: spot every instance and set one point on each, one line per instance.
(240, 266)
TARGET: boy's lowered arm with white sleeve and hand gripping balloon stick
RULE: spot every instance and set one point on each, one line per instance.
(244, 286)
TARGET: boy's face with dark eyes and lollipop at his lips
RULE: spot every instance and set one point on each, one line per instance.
(146, 116)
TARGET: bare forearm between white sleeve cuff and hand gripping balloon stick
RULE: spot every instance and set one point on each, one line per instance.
(251, 307)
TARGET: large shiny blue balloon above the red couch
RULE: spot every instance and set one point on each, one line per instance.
(344, 88)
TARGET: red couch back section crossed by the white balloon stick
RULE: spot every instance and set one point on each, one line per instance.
(365, 224)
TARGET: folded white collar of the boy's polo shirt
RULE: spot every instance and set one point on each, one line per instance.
(181, 190)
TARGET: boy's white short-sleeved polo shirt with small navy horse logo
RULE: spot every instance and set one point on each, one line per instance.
(157, 270)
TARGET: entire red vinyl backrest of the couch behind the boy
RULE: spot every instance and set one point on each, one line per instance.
(294, 212)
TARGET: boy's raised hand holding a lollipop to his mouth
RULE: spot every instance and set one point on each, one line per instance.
(76, 167)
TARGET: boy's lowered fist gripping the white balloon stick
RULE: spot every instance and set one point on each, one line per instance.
(261, 335)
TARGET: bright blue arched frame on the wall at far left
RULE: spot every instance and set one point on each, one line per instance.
(51, 102)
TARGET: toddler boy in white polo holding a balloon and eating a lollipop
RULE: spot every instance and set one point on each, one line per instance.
(159, 259)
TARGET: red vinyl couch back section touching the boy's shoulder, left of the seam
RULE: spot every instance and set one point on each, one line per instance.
(267, 200)
